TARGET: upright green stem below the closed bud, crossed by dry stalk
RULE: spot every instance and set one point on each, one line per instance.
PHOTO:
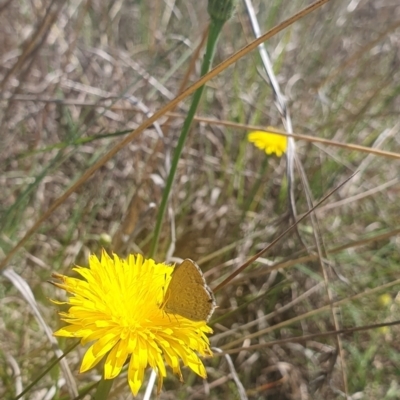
(213, 34)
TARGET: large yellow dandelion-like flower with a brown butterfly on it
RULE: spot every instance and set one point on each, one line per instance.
(117, 306)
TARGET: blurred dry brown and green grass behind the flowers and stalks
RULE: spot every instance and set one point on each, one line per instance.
(77, 76)
